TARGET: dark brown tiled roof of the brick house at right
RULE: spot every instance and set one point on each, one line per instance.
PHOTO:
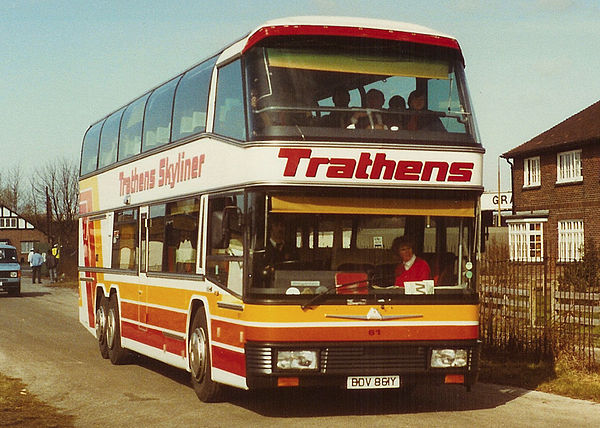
(581, 127)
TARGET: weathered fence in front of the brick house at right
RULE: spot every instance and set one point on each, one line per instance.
(537, 308)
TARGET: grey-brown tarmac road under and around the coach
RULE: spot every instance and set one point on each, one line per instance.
(42, 342)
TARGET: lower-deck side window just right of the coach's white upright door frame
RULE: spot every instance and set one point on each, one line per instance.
(173, 236)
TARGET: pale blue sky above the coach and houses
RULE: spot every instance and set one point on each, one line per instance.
(67, 63)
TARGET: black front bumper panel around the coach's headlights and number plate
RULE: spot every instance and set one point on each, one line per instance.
(337, 361)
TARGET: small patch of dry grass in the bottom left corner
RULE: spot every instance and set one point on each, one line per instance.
(20, 408)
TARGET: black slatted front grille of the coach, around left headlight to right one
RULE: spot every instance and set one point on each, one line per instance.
(347, 359)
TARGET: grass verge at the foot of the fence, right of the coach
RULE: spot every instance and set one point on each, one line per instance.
(563, 377)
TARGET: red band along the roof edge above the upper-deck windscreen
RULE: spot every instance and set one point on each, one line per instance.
(371, 33)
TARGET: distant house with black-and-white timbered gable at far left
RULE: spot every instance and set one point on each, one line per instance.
(18, 232)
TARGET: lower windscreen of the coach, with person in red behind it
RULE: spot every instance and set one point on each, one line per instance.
(366, 247)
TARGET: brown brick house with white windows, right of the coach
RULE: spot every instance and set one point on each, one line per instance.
(556, 190)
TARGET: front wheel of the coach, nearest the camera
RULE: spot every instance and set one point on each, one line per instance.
(206, 389)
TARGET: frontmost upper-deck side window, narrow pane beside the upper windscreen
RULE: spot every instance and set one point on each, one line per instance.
(229, 109)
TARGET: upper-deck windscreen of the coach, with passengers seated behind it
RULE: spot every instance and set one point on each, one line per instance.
(336, 88)
